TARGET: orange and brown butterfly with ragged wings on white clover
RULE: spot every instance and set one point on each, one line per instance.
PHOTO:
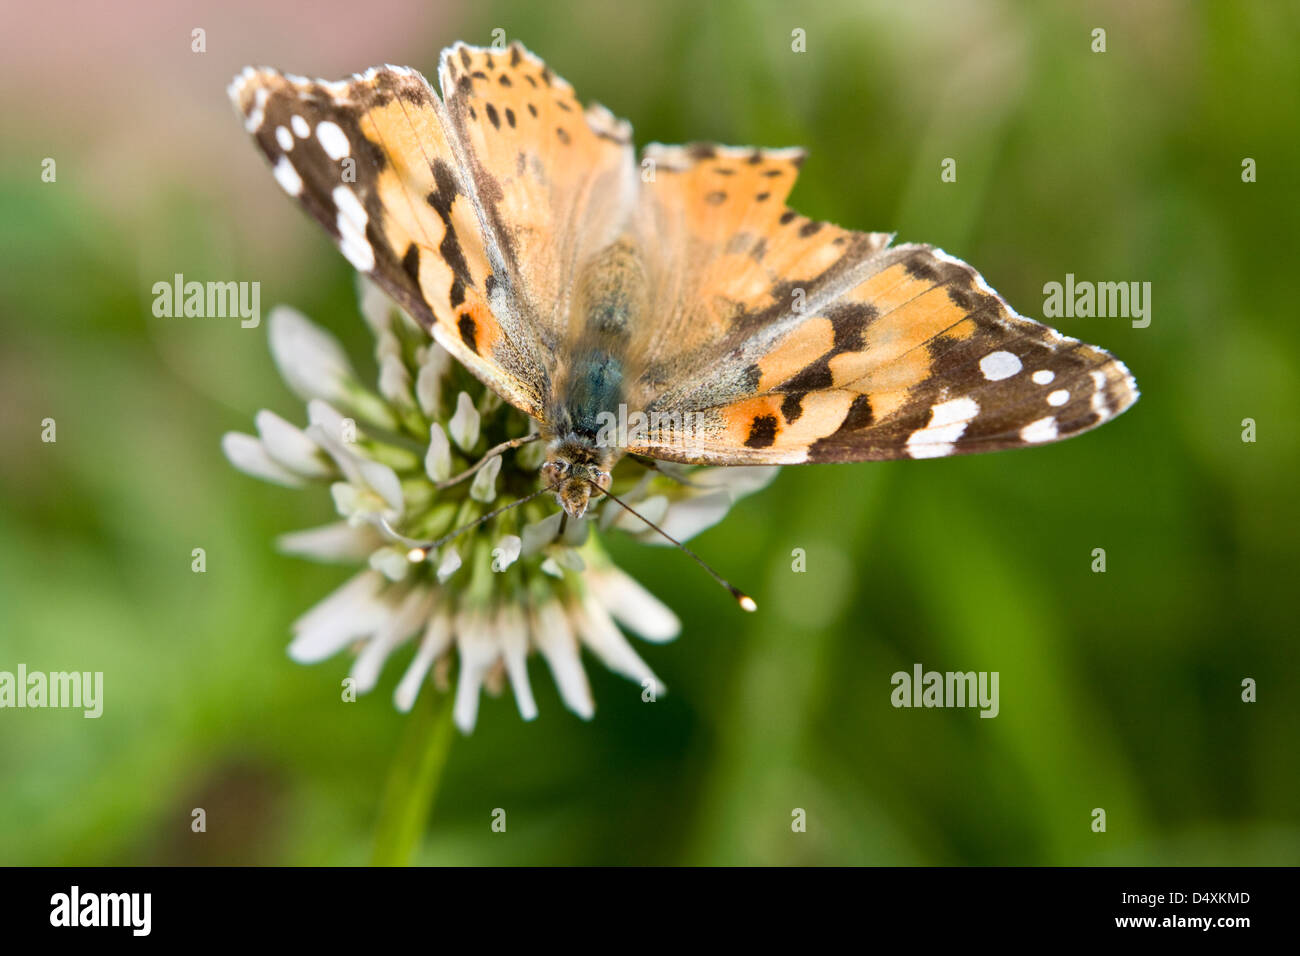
(580, 283)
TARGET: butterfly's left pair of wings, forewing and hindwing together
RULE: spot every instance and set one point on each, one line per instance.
(471, 211)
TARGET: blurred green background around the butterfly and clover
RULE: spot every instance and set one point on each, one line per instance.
(1119, 690)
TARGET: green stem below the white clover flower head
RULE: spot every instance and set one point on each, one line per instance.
(413, 786)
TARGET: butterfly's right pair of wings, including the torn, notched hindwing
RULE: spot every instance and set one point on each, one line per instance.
(805, 343)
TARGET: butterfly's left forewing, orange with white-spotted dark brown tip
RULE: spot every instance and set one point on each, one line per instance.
(372, 162)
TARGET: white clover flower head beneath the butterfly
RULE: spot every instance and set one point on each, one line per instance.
(523, 582)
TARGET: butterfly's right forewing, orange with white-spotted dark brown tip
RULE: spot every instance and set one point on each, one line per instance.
(911, 354)
